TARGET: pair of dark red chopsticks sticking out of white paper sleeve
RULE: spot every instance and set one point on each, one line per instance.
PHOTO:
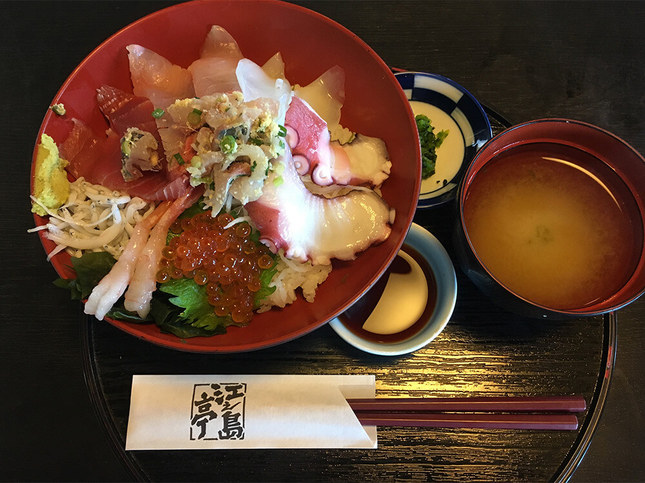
(544, 413)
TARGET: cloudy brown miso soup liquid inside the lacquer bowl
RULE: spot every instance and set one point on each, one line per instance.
(552, 224)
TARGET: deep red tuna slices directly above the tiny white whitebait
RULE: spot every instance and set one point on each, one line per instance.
(98, 160)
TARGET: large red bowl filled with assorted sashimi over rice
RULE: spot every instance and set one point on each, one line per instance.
(231, 194)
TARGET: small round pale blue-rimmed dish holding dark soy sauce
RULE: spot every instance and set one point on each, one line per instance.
(409, 305)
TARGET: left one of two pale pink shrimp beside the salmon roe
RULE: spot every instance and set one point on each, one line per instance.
(112, 286)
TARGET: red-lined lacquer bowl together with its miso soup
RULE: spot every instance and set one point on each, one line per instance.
(556, 222)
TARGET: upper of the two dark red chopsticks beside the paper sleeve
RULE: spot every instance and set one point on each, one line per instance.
(570, 404)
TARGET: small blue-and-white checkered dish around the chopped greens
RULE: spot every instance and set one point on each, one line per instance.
(449, 107)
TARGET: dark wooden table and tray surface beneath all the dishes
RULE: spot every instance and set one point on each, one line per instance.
(66, 379)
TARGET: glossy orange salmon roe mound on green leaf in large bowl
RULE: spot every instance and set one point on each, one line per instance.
(225, 261)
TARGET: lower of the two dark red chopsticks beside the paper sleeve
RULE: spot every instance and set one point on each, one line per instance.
(469, 420)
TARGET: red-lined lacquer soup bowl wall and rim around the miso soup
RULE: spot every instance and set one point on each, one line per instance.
(586, 137)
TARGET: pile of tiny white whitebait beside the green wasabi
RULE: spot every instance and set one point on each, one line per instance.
(94, 218)
